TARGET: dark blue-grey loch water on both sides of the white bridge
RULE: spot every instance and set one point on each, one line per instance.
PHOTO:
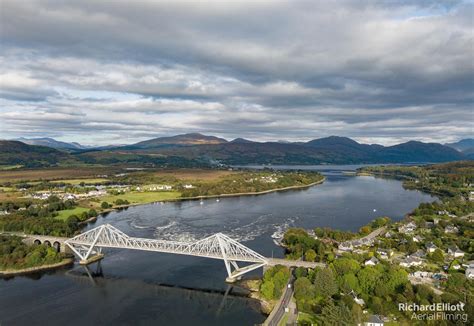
(144, 288)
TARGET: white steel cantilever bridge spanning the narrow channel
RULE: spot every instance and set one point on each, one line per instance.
(218, 246)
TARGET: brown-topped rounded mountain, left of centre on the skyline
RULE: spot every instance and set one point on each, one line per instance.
(178, 140)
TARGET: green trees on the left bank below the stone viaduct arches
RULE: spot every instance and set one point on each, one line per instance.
(16, 255)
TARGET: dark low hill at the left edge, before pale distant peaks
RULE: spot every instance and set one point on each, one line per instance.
(15, 152)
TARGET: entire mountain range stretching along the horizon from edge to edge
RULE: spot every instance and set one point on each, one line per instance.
(195, 149)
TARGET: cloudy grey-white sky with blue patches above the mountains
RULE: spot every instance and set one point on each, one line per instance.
(118, 72)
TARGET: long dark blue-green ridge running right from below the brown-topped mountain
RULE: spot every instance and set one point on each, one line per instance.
(330, 150)
